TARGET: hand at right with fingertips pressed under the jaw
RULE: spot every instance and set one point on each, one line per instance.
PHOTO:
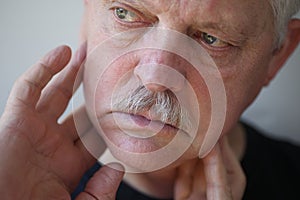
(218, 176)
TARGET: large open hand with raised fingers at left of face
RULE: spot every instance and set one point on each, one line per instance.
(41, 158)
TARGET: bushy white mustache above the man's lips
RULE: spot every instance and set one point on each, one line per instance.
(164, 105)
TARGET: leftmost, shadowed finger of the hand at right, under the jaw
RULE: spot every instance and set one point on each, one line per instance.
(183, 183)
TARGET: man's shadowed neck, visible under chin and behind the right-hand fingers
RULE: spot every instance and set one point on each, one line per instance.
(160, 184)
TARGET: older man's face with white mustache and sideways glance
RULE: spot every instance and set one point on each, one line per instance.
(125, 97)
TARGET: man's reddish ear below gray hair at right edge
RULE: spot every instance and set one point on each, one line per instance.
(282, 54)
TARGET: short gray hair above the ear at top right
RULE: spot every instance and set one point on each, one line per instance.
(283, 11)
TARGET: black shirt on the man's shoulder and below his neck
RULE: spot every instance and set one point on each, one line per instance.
(272, 169)
